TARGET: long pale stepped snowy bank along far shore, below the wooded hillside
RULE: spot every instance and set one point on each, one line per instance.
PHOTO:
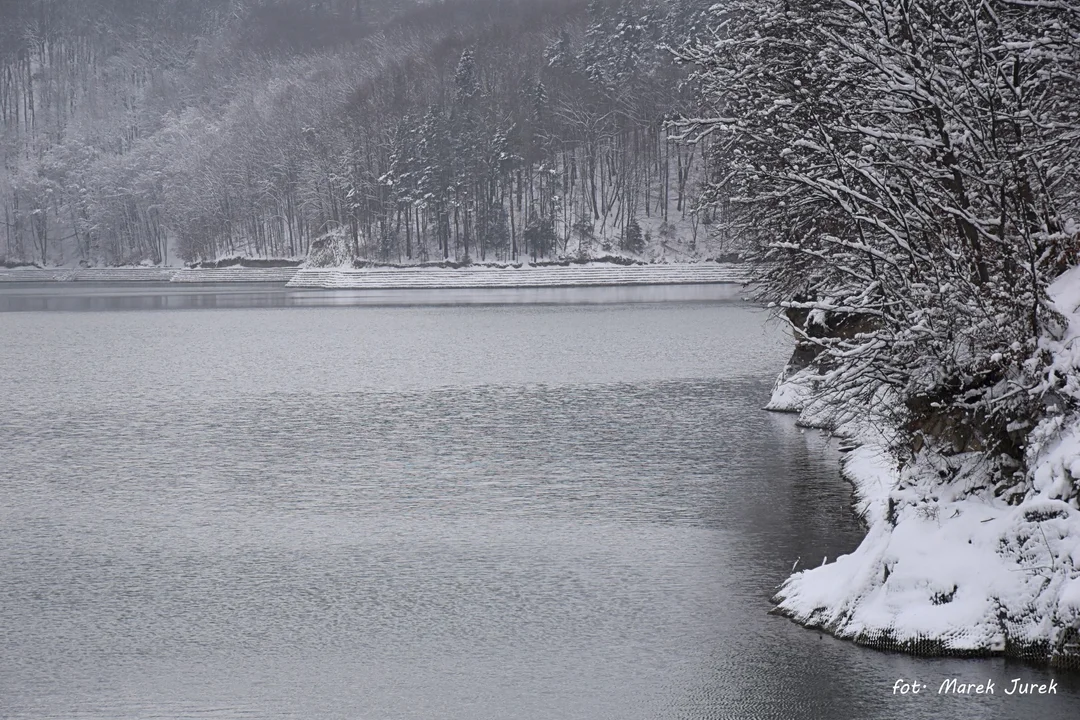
(525, 277)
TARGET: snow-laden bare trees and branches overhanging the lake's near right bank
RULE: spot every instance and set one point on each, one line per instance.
(904, 174)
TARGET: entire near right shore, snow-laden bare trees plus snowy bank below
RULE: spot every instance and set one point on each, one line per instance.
(907, 174)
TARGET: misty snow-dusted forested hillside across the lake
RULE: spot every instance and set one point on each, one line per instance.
(192, 130)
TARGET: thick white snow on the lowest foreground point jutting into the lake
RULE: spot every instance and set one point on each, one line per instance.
(963, 574)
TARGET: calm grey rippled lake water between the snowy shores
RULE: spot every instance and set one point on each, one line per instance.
(566, 505)
